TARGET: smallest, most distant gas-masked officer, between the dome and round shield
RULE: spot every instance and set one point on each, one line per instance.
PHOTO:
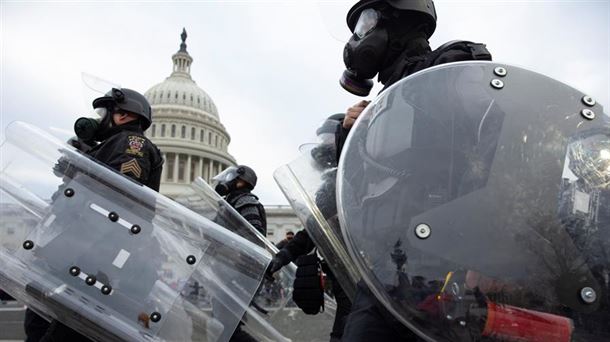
(235, 184)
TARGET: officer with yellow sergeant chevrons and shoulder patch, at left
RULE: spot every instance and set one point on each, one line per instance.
(117, 140)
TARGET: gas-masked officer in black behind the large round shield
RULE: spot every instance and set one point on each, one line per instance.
(390, 40)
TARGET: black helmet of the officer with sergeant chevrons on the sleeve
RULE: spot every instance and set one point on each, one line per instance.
(126, 100)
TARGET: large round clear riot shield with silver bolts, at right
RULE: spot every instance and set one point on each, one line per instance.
(476, 204)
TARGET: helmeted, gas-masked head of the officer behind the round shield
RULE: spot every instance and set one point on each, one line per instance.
(382, 30)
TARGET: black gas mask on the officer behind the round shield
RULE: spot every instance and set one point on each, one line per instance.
(364, 54)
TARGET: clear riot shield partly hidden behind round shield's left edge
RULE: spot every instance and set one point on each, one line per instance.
(309, 186)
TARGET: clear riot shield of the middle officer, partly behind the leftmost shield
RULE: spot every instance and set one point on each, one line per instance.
(272, 316)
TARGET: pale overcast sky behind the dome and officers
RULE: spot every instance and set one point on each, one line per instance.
(271, 67)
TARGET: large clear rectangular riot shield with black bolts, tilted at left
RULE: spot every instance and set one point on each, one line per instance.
(111, 258)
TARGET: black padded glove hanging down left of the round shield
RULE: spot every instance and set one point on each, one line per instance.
(308, 291)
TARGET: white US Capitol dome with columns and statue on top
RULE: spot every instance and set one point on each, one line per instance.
(186, 128)
